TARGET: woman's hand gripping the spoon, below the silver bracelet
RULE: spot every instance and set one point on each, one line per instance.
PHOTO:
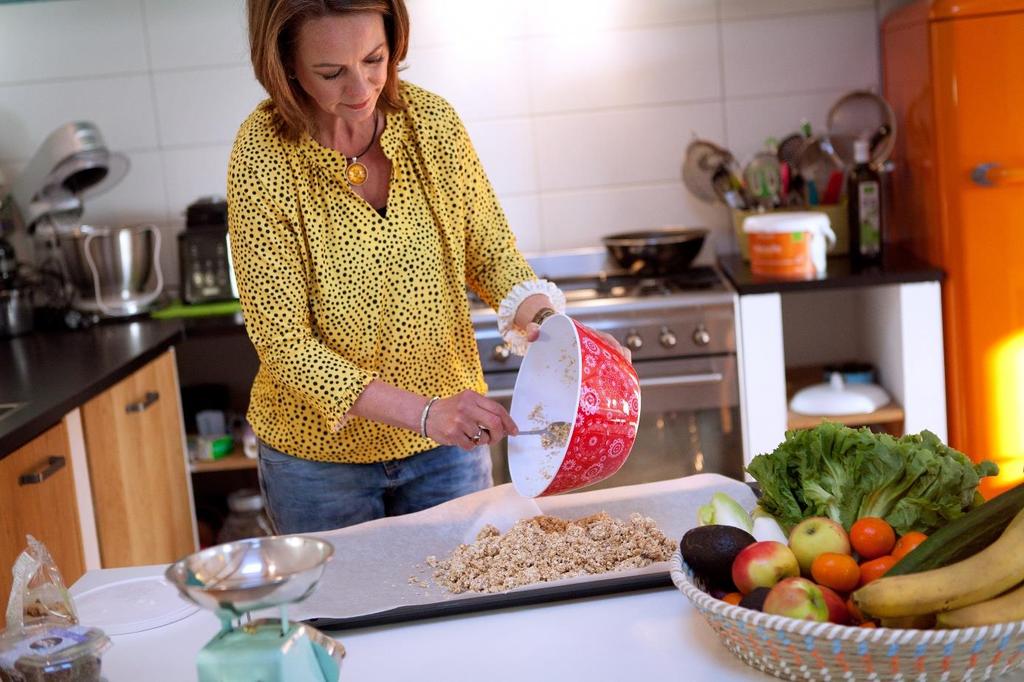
(468, 420)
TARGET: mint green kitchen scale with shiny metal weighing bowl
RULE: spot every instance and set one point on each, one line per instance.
(236, 579)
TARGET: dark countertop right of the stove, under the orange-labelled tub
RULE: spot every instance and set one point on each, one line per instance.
(899, 267)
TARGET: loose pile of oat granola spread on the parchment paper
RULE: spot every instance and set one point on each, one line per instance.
(546, 548)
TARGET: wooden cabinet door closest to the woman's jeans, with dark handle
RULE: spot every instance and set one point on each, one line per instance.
(138, 468)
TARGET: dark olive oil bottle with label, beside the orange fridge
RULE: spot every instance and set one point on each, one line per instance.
(865, 207)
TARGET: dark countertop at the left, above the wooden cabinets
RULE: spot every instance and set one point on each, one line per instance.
(55, 372)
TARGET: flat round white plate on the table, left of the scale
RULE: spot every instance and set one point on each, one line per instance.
(133, 606)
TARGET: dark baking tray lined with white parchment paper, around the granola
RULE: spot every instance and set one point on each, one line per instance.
(381, 574)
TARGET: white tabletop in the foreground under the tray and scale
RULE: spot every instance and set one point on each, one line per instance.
(649, 635)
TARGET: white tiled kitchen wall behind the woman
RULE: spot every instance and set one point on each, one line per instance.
(580, 110)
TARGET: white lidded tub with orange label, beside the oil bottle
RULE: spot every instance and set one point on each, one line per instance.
(790, 246)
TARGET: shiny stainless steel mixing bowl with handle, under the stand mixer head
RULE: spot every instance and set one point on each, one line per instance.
(111, 268)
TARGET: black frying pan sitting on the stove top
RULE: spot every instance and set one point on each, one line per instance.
(656, 253)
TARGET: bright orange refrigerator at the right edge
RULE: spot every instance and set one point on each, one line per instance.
(954, 71)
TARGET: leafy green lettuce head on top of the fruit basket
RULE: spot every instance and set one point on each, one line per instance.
(916, 483)
